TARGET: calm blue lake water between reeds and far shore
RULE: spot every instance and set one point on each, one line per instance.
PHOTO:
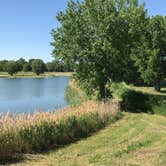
(30, 94)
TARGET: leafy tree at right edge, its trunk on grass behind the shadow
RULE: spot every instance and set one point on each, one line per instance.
(150, 54)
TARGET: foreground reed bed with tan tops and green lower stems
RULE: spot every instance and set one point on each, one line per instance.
(41, 131)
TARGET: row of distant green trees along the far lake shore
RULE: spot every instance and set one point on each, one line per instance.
(33, 65)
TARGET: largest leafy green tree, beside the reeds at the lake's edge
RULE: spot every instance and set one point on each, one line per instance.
(96, 36)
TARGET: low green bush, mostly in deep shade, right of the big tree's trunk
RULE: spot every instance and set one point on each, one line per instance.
(137, 101)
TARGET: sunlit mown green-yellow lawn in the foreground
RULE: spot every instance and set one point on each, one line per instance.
(136, 139)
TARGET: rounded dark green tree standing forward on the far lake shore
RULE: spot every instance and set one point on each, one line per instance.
(38, 66)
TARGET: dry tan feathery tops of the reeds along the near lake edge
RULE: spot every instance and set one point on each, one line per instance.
(9, 121)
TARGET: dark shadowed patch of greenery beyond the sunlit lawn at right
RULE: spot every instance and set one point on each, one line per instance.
(138, 102)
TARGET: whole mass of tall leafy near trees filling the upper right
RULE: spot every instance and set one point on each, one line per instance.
(111, 41)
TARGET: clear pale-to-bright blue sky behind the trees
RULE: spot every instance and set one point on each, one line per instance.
(25, 26)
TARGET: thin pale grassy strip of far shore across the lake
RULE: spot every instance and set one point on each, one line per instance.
(33, 75)
